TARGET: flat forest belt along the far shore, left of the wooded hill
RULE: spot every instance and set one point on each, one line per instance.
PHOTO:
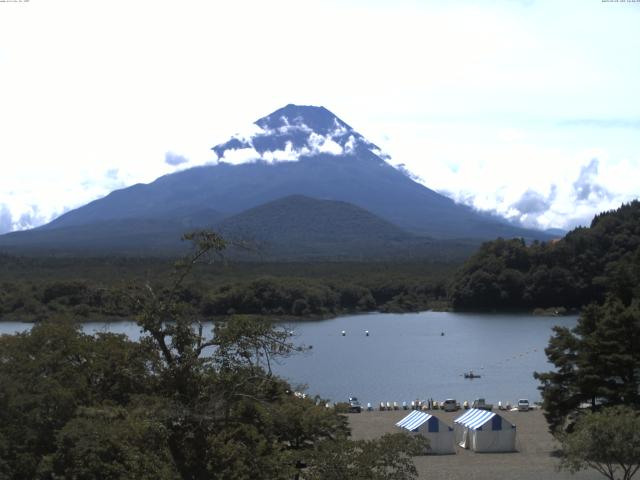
(33, 288)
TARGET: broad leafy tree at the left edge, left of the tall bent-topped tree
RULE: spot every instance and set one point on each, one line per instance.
(48, 374)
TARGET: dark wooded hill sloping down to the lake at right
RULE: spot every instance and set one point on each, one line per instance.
(583, 267)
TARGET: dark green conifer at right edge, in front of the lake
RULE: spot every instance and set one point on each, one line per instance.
(597, 363)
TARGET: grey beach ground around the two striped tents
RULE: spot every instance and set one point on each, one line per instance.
(533, 459)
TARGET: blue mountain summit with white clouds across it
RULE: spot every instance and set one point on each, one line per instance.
(293, 132)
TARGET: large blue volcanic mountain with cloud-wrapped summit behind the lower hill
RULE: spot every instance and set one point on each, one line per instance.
(296, 150)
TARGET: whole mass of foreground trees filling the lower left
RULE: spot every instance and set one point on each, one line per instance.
(178, 404)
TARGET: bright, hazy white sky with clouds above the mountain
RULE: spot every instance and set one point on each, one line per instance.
(530, 108)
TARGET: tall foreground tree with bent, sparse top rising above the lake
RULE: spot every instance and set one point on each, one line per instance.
(212, 397)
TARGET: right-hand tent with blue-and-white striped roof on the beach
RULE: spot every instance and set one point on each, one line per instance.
(484, 431)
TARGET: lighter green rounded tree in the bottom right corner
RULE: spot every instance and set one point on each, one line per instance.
(607, 441)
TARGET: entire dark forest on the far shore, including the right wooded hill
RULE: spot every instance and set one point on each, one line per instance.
(568, 273)
